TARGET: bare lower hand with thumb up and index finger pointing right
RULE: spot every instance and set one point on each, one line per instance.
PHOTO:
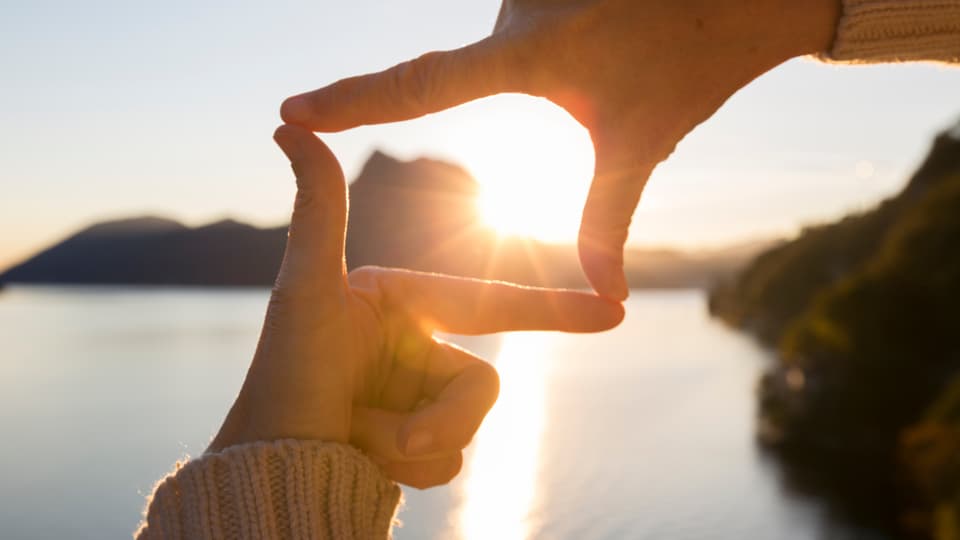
(351, 358)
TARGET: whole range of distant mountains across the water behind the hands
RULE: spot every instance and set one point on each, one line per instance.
(419, 214)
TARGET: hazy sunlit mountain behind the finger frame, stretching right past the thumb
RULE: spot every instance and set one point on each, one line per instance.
(423, 215)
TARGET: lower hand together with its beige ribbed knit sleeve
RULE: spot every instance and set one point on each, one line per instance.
(347, 363)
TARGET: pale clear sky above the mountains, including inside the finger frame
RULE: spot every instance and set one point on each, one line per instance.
(120, 108)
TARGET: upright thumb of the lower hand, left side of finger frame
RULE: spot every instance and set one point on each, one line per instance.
(313, 260)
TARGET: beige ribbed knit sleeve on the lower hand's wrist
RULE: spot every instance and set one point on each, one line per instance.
(284, 489)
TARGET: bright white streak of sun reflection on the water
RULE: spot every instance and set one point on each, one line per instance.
(500, 485)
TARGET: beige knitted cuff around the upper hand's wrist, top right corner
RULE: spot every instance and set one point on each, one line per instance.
(897, 31)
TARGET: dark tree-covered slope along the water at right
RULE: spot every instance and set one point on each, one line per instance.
(864, 315)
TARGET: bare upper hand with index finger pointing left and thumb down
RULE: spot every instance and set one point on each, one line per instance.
(638, 74)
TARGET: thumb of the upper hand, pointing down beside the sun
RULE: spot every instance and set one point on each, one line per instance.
(620, 175)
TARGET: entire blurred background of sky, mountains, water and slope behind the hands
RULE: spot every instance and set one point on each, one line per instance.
(788, 364)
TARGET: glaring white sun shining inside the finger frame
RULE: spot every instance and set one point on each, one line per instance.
(533, 162)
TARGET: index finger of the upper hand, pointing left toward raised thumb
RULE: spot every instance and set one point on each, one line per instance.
(430, 83)
